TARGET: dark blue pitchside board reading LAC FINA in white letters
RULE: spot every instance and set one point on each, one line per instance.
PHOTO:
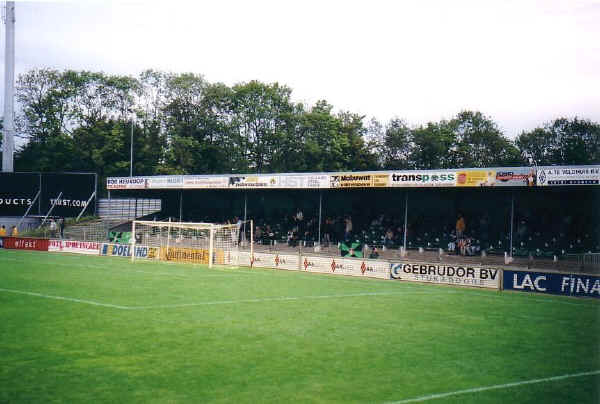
(552, 283)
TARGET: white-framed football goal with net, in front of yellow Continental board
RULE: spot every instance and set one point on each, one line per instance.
(201, 243)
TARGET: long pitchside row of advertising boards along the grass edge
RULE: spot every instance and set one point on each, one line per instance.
(457, 275)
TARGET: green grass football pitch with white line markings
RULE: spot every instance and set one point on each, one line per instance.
(97, 329)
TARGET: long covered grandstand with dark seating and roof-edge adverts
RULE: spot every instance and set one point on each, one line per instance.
(550, 225)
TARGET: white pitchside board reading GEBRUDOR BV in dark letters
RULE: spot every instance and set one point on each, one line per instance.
(447, 274)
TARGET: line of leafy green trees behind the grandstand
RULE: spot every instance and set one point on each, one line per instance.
(183, 124)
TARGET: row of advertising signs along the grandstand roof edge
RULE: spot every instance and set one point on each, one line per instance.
(493, 177)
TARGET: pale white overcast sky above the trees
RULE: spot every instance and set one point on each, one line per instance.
(523, 63)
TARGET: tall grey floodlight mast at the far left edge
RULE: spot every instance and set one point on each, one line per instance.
(8, 142)
